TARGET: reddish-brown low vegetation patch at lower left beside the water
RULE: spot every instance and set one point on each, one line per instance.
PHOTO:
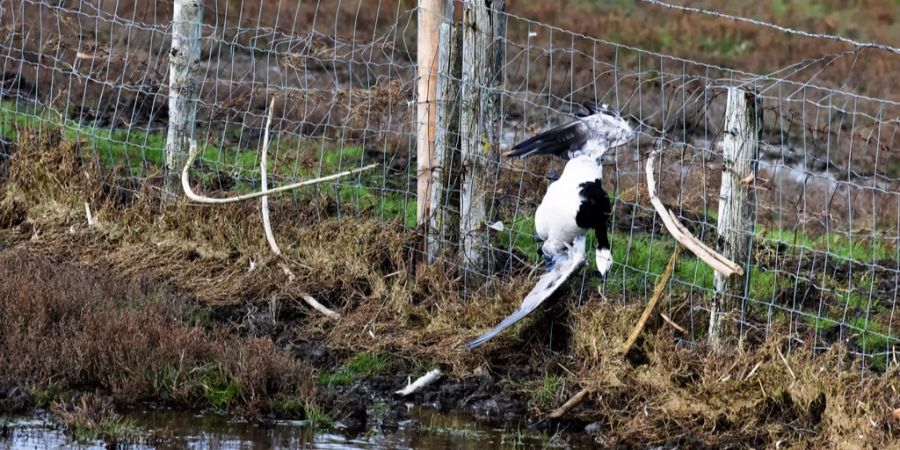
(68, 327)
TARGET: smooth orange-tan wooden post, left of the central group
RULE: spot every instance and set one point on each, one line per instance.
(429, 18)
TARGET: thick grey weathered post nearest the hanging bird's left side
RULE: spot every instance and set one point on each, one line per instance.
(479, 122)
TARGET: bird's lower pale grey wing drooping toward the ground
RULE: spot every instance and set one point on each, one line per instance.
(545, 287)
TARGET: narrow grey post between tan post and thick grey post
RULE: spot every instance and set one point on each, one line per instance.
(445, 175)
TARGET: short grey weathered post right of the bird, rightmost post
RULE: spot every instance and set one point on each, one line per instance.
(737, 201)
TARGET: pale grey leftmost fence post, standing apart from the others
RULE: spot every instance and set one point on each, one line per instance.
(184, 87)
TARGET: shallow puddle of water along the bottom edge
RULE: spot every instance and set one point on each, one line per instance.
(178, 430)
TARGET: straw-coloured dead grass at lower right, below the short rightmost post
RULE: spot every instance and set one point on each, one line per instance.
(673, 393)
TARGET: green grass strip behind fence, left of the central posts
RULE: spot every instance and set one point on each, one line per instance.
(290, 158)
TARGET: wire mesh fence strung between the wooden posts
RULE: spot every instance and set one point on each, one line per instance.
(824, 265)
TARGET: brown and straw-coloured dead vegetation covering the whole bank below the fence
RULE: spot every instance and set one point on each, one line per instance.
(109, 308)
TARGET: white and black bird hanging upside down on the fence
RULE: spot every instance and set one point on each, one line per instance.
(573, 204)
